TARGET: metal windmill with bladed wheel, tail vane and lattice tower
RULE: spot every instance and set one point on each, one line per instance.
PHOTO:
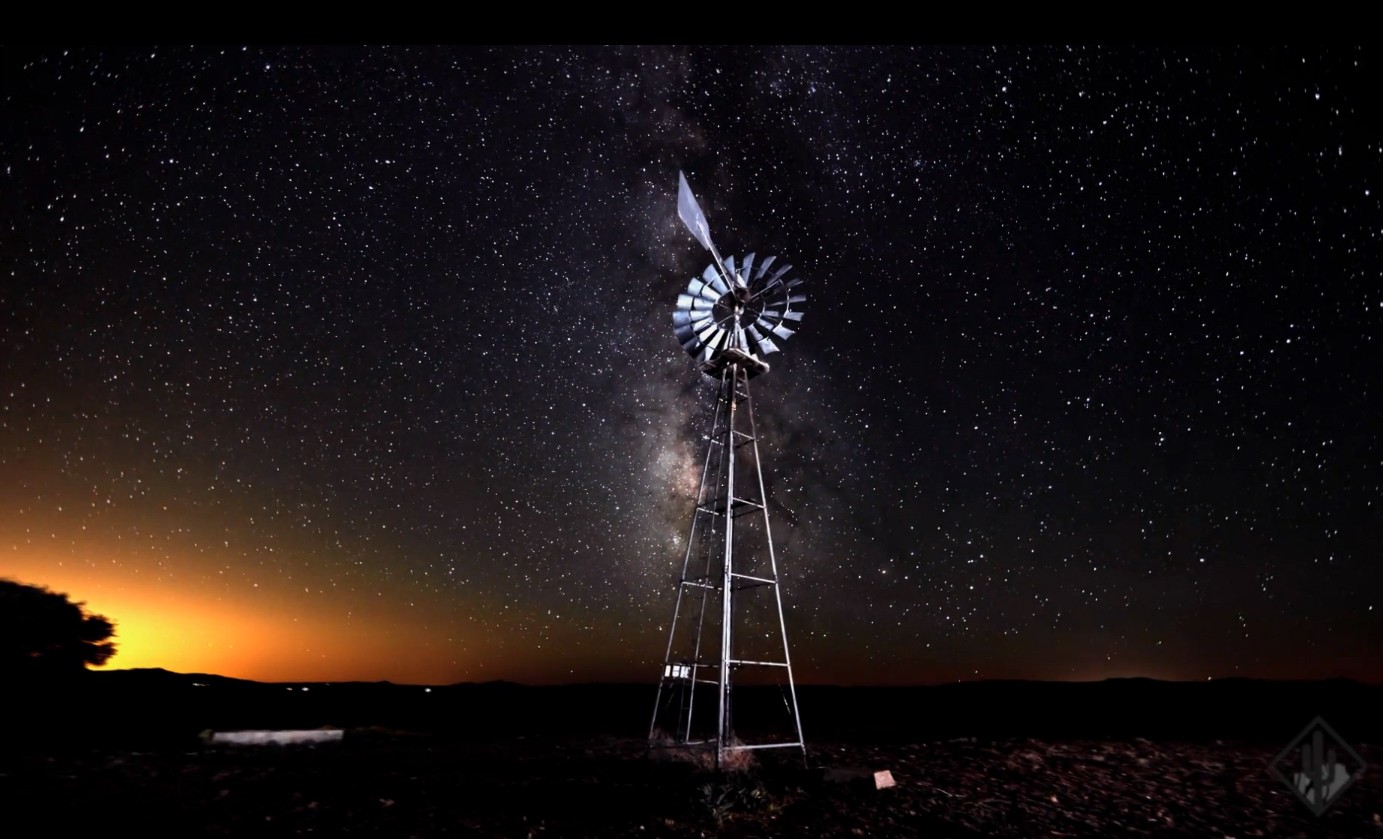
(728, 627)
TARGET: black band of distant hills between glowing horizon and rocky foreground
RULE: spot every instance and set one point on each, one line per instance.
(161, 706)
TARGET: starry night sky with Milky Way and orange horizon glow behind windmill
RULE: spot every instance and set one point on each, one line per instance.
(358, 363)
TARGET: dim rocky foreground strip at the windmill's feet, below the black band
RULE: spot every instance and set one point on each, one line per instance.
(378, 783)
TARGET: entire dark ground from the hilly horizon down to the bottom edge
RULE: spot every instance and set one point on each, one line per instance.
(505, 761)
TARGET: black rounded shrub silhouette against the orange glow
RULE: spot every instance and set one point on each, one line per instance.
(45, 634)
